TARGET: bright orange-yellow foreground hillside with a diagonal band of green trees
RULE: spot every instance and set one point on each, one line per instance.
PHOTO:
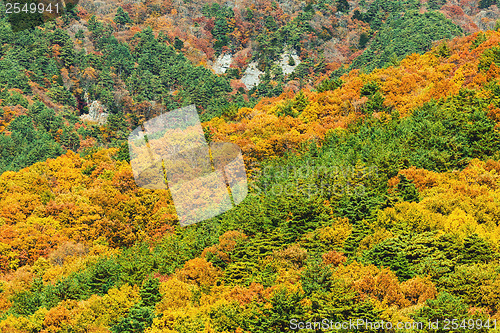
(373, 195)
